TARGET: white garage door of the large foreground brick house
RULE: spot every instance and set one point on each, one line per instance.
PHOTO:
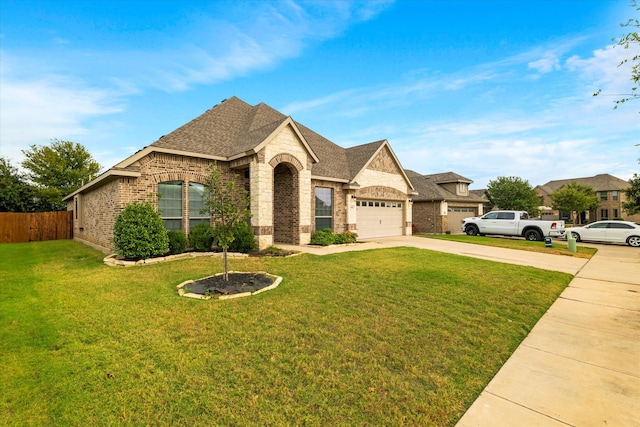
(377, 218)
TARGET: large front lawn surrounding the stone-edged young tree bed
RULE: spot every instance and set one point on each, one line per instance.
(385, 337)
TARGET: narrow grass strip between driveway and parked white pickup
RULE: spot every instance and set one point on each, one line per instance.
(559, 248)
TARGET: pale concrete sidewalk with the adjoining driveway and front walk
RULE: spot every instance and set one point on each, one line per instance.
(580, 364)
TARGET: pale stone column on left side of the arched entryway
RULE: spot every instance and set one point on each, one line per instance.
(261, 182)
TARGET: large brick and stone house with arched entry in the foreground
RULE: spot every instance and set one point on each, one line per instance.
(298, 181)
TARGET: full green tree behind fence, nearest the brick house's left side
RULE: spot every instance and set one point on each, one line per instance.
(59, 169)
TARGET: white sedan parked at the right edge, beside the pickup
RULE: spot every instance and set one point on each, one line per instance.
(608, 231)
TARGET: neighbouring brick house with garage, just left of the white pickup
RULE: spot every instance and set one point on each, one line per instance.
(442, 202)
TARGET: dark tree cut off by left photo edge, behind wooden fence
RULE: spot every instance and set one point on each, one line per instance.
(16, 195)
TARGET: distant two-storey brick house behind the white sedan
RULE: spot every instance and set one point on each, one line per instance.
(609, 191)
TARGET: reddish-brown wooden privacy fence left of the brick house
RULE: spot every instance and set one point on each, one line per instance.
(34, 227)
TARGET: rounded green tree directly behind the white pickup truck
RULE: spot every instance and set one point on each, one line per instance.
(513, 193)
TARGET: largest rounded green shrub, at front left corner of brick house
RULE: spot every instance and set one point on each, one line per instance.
(139, 232)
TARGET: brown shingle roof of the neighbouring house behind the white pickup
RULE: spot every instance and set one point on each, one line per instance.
(429, 188)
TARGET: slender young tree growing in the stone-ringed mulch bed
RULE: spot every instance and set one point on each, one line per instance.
(228, 204)
